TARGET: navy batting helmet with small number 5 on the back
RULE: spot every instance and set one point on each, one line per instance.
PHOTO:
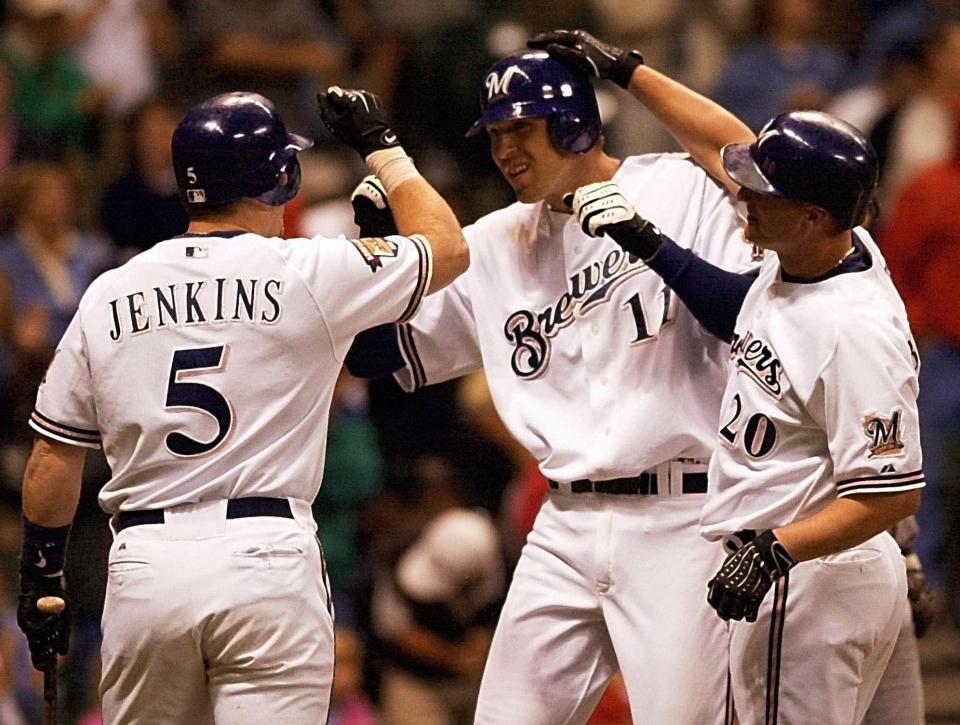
(234, 146)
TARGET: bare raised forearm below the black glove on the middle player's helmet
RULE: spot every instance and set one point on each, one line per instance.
(701, 126)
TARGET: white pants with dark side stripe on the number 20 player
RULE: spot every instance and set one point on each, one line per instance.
(822, 639)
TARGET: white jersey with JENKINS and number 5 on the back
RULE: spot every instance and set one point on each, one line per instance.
(205, 366)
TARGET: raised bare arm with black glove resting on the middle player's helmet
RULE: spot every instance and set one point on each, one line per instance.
(699, 125)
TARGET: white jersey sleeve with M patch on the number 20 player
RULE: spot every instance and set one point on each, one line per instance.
(869, 390)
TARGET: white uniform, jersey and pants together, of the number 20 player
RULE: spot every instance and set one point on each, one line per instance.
(820, 404)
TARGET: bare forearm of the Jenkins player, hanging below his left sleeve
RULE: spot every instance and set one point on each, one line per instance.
(51, 483)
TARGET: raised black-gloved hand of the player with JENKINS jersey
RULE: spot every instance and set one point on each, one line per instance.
(357, 118)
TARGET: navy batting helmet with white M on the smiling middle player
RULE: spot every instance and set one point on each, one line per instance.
(532, 84)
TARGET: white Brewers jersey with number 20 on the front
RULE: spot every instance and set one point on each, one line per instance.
(821, 400)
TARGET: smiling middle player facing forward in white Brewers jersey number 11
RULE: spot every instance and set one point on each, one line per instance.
(609, 382)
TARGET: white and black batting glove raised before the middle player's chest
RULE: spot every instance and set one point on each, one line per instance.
(602, 208)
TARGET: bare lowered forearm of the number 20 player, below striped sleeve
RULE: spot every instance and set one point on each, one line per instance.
(846, 522)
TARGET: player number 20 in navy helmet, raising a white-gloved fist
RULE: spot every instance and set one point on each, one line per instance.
(818, 449)
